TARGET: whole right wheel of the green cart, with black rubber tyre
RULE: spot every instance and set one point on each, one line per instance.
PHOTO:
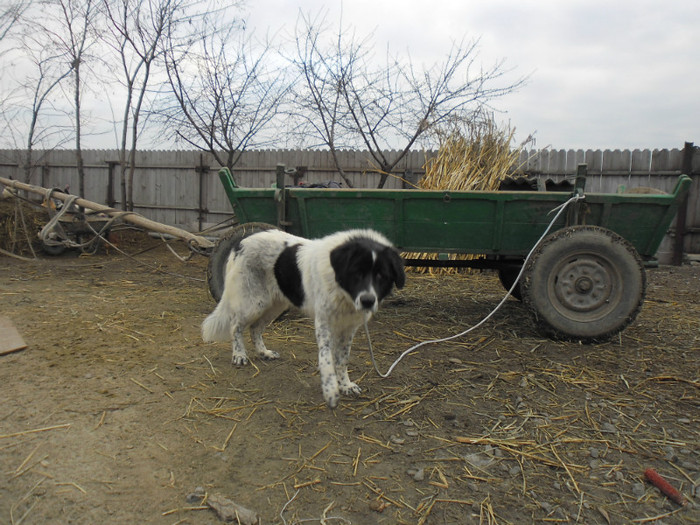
(584, 283)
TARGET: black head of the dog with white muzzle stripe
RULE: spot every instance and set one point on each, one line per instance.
(367, 270)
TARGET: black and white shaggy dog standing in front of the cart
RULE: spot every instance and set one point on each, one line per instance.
(338, 281)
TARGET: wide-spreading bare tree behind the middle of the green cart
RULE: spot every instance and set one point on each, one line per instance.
(346, 93)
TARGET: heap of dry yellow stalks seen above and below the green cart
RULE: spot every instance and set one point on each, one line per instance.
(477, 158)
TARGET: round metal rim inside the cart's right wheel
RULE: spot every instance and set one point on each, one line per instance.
(582, 287)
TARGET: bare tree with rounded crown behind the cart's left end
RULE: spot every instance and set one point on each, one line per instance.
(225, 92)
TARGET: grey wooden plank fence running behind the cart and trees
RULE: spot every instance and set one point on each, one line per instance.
(181, 188)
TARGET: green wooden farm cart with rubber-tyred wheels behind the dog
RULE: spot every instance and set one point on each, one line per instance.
(585, 280)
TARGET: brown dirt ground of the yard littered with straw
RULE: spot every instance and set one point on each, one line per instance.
(117, 411)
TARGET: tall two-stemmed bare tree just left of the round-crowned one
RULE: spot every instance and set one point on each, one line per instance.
(137, 29)
